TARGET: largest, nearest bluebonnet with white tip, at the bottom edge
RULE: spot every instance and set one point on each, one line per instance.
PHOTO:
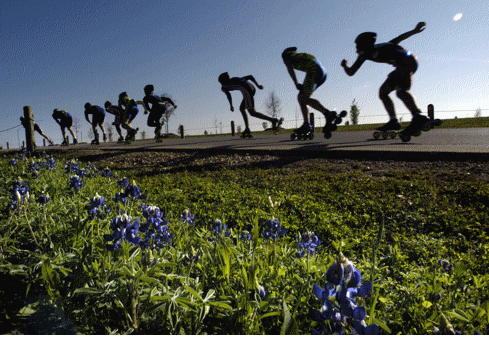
(343, 284)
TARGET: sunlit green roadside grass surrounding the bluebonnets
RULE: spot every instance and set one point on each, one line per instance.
(403, 231)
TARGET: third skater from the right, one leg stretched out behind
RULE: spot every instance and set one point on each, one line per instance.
(245, 86)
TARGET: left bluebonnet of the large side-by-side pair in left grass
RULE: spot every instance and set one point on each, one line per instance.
(122, 230)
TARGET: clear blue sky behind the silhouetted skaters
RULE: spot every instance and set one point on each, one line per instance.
(62, 54)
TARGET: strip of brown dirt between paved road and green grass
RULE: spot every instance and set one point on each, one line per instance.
(154, 162)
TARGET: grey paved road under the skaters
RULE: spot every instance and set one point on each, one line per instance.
(455, 144)
